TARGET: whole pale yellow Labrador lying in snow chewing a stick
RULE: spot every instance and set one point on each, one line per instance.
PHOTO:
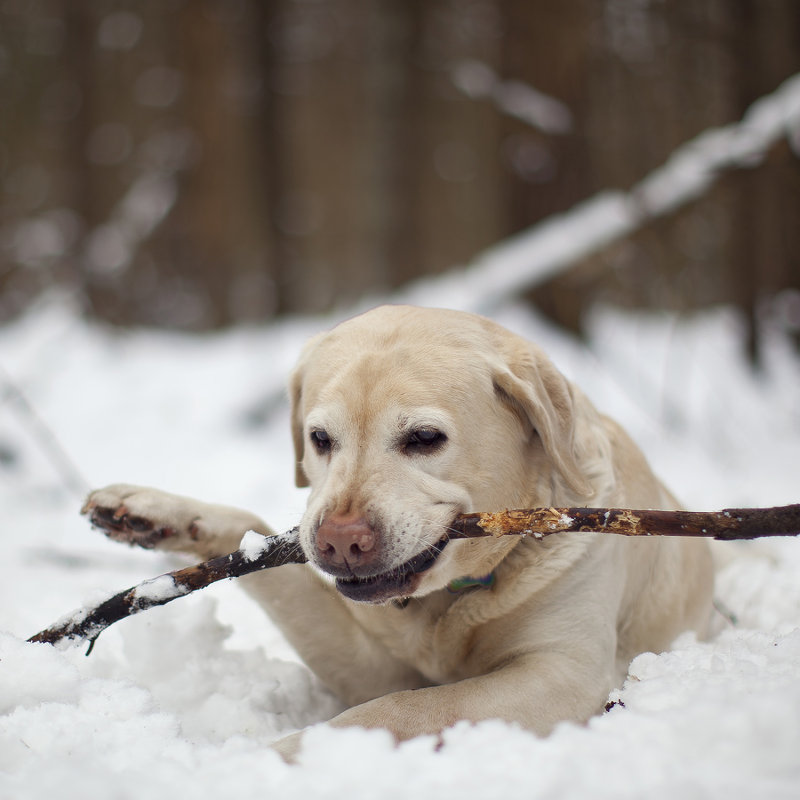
(403, 418)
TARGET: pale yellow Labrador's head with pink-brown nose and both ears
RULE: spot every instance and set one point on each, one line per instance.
(403, 418)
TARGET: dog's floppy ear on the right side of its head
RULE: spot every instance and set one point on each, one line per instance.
(540, 395)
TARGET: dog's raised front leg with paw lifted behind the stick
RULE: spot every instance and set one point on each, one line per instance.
(309, 611)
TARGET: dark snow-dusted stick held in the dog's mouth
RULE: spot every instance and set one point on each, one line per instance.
(259, 552)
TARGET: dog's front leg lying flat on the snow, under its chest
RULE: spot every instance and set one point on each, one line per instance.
(543, 670)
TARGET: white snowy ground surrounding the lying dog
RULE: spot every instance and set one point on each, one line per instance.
(182, 700)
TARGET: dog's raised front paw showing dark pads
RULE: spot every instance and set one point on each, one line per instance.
(140, 516)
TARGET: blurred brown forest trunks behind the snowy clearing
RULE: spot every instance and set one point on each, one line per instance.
(195, 163)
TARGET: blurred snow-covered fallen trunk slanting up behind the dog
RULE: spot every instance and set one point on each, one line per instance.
(558, 242)
